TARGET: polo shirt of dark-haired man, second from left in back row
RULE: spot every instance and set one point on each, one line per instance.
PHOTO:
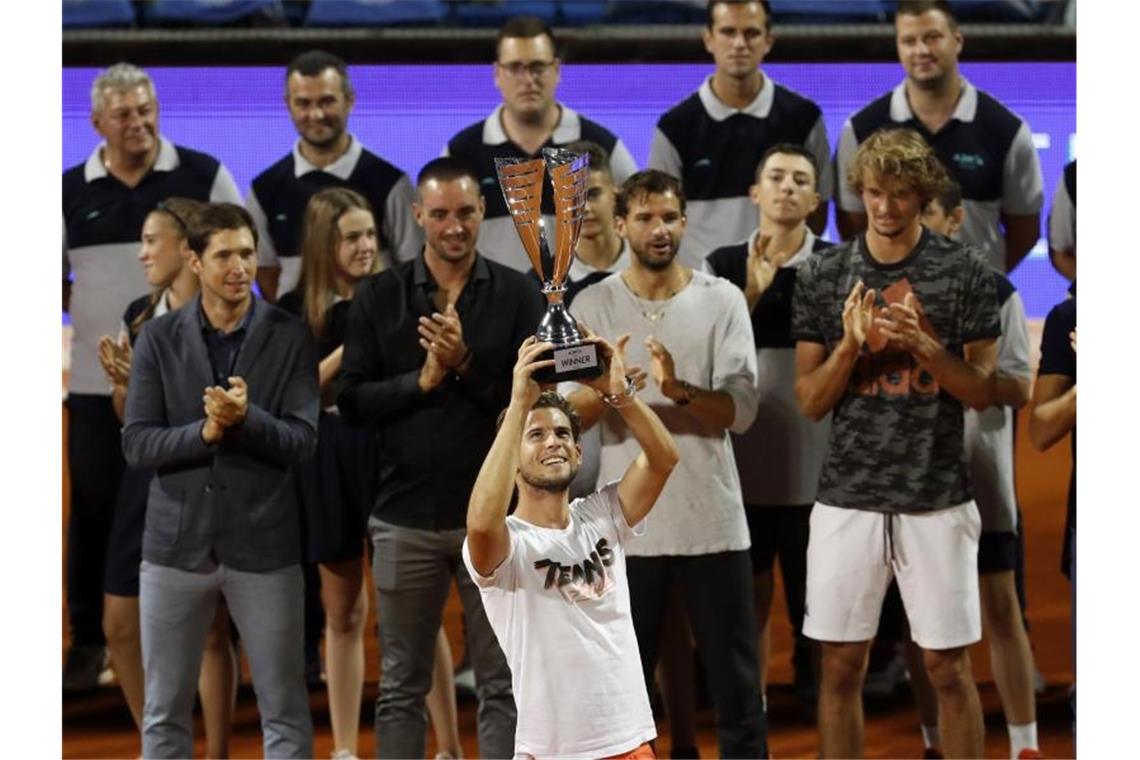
(279, 198)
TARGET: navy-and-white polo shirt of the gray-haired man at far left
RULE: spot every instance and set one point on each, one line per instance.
(103, 224)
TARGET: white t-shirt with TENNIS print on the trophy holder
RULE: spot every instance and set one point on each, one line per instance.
(560, 608)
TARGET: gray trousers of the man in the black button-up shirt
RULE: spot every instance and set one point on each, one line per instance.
(413, 571)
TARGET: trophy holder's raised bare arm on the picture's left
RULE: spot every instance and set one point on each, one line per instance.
(488, 541)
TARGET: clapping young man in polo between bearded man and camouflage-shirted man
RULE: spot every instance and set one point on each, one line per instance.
(780, 457)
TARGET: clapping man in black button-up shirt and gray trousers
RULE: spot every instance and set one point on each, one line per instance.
(431, 345)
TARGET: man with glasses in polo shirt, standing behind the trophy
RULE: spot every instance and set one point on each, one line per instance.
(527, 72)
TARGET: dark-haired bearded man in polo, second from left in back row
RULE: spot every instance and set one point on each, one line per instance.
(320, 97)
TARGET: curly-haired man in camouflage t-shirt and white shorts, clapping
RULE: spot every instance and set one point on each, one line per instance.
(895, 332)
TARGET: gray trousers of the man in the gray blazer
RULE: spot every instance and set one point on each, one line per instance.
(176, 610)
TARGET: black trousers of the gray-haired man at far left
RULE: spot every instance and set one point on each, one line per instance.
(95, 459)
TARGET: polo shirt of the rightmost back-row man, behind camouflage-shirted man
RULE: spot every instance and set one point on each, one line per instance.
(987, 148)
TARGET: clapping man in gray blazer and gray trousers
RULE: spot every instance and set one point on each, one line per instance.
(223, 405)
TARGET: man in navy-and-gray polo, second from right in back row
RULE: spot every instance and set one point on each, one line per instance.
(714, 140)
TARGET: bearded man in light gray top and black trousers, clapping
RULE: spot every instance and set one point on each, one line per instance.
(693, 331)
